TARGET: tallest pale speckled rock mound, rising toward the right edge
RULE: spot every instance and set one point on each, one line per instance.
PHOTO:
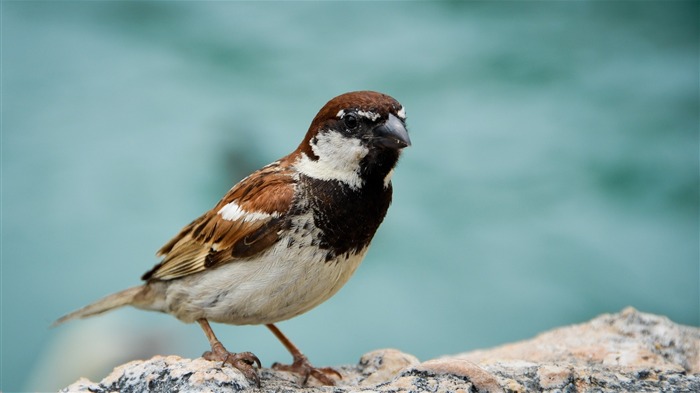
(628, 351)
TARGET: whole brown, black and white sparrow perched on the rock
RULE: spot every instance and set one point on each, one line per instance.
(284, 239)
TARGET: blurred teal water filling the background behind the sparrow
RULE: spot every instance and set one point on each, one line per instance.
(553, 174)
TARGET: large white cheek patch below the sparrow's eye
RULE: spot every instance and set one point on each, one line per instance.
(338, 159)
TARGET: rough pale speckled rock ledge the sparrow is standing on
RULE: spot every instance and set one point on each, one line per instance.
(625, 352)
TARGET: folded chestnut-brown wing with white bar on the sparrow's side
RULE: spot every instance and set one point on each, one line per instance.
(247, 221)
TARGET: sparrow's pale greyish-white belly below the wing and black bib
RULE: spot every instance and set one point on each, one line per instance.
(279, 284)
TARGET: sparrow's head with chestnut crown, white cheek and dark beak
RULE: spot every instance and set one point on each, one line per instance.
(355, 138)
